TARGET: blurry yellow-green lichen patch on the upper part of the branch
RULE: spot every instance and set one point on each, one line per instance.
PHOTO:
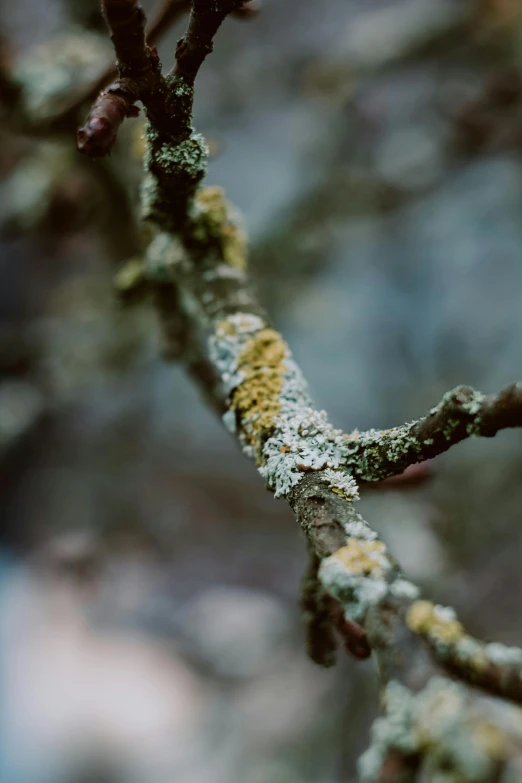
(216, 220)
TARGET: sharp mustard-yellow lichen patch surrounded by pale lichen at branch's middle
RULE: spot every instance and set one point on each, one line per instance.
(257, 398)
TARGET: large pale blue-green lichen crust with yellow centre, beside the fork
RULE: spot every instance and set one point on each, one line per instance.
(273, 406)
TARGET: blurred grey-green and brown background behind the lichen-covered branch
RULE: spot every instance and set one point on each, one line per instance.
(149, 620)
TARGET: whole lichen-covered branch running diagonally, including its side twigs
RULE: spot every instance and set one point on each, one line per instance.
(432, 728)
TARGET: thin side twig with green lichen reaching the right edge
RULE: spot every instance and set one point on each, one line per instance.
(462, 413)
